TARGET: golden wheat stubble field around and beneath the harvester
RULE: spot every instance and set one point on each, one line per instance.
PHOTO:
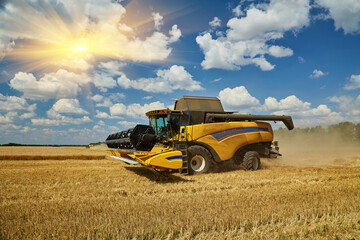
(69, 198)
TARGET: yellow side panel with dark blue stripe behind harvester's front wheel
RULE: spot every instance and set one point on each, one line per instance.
(227, 138)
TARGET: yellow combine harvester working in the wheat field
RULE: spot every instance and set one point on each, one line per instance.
(195, 136)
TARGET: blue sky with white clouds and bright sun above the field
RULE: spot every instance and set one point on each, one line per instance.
(72, 72)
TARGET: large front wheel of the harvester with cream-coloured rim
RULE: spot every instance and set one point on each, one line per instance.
(200, 160)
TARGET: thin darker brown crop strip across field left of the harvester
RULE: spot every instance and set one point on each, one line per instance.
(51, 157)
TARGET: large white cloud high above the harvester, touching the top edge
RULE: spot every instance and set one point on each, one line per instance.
(250, 38)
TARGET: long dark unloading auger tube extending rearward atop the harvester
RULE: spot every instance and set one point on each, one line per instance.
(221, 117)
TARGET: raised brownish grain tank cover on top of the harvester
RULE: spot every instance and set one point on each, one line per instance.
(204, 104)
